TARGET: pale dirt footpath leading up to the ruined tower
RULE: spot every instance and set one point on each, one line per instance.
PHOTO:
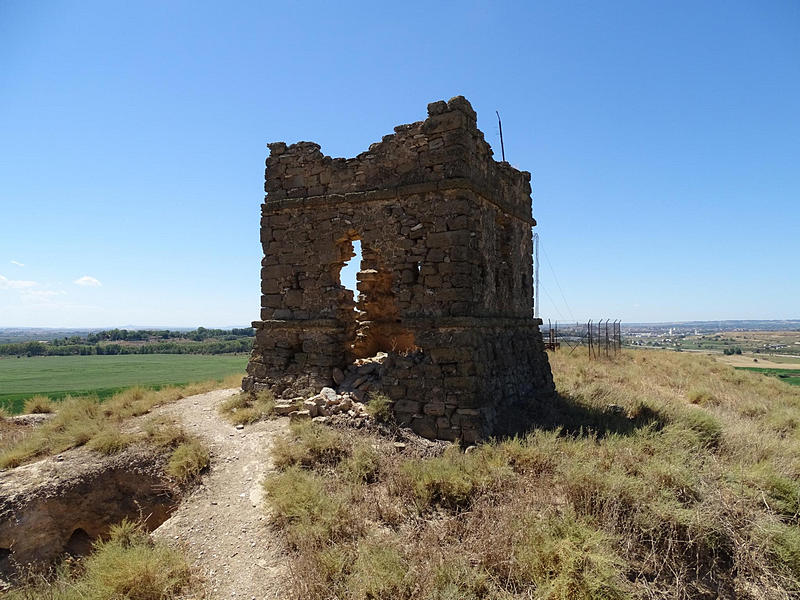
(223, 524)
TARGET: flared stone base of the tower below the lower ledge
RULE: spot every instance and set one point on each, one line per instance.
(468, 378)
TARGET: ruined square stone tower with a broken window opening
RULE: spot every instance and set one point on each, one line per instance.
(445, 287)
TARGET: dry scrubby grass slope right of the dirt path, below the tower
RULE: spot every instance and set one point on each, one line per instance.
(660, 475)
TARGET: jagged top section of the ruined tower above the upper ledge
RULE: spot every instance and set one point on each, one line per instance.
(445, 147)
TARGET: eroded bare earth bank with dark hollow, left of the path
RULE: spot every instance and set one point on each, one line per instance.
(61, 504)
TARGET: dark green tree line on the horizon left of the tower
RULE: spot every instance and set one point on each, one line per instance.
(199, 341)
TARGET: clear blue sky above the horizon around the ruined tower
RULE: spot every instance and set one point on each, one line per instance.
(663, 139)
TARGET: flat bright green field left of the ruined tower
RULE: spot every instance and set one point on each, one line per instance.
(58, 376)
